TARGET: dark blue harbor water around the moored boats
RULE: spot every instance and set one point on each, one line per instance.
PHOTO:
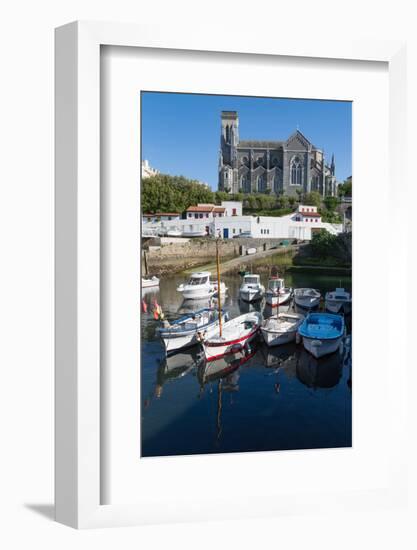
(277, 398)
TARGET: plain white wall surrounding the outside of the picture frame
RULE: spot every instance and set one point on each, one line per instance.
(26, 218)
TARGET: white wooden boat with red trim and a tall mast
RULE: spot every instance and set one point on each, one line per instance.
(232, 336)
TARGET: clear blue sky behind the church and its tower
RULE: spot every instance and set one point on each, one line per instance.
(181, 132)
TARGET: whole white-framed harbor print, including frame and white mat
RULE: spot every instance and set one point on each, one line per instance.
(218, 305)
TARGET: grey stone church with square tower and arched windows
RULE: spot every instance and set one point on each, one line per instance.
(271, 166)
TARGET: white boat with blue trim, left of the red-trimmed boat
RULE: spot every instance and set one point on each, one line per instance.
(189, 329)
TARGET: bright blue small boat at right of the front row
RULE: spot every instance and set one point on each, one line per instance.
(322, 333)
